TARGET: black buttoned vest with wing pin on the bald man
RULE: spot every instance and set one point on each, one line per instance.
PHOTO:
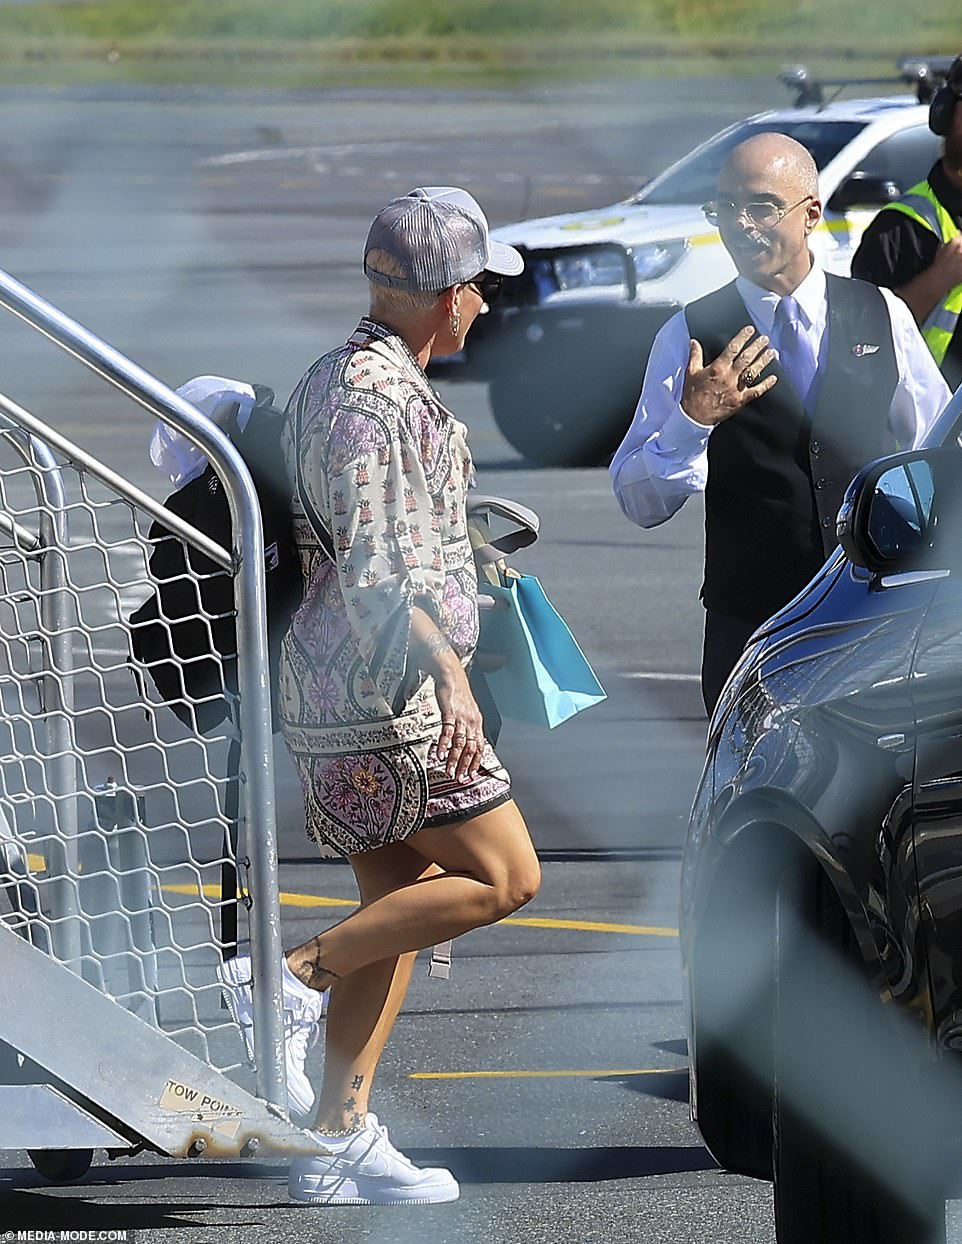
(777, 477)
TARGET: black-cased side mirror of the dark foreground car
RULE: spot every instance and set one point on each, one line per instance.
(898, 511)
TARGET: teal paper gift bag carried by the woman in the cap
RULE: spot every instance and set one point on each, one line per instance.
(546, 679)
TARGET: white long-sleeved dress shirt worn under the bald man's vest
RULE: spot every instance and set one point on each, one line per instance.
(664, 458)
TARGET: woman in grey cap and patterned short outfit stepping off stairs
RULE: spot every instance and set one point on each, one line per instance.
(376, 707)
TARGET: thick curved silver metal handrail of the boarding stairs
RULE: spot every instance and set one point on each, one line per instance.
(247, 558)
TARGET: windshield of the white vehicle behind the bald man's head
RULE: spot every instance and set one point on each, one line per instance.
(696, 179)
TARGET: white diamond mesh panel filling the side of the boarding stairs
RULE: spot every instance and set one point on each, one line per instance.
(114, 824)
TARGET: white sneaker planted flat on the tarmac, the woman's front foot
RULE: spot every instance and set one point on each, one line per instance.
(367, 1170)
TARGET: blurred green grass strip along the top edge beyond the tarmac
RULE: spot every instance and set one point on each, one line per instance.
(324, 43)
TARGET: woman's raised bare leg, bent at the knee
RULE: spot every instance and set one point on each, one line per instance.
(490, 870)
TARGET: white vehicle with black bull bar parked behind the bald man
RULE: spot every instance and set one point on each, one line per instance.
(566, 346)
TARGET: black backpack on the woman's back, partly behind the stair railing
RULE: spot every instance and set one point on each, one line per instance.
(185, 634)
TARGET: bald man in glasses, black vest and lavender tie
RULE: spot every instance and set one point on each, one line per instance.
(770, 395)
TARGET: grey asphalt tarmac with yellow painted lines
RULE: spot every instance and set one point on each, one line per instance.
(221, 233)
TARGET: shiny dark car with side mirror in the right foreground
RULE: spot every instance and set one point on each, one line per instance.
(822, 888)
